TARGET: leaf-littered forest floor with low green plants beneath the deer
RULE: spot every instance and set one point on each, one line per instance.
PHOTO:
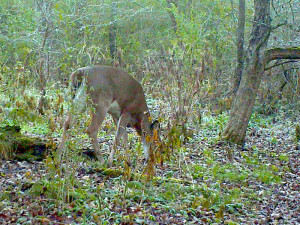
(204, 181)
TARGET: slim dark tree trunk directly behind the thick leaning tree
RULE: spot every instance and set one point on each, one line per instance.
(240, 46)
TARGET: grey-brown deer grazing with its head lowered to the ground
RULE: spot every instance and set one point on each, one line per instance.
(112, 91)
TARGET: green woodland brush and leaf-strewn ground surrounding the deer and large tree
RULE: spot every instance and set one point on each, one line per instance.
(184, 55)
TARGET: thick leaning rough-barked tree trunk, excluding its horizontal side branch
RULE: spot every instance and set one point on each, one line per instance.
(245, 98)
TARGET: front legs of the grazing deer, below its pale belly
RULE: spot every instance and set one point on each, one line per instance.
(121, 133)
